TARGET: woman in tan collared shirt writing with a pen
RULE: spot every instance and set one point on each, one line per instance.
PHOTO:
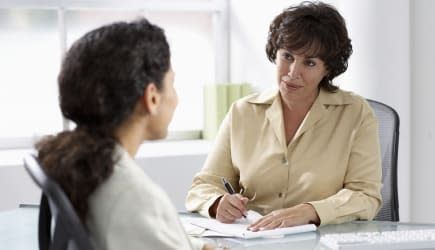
(307, 151)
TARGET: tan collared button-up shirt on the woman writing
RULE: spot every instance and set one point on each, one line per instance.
(333, 161)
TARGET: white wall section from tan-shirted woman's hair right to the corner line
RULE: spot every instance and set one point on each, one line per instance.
(379, 69)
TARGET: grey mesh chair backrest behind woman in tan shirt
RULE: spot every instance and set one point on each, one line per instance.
(388, 123)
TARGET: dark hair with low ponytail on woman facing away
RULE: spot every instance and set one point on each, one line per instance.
(103, 75)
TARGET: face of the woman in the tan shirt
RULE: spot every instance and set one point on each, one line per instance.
(299, 76)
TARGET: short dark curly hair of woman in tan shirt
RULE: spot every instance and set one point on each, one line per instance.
(315, 28)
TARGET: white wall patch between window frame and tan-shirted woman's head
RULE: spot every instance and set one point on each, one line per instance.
(249, 24)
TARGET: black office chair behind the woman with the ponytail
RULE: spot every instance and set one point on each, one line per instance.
(68, 233)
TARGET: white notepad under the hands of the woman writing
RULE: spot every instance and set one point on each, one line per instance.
(239, 228)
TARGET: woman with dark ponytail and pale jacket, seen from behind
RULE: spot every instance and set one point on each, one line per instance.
(116, 84)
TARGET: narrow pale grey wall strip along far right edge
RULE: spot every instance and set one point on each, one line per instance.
(422, 111)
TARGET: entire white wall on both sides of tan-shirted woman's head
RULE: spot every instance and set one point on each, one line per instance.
(382, 32)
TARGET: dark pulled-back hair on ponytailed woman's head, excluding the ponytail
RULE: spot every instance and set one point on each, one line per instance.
(106, 71)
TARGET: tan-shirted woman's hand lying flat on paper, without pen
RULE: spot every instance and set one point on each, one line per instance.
(287, 217)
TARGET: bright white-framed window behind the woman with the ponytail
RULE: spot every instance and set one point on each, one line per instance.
(34, 35)
